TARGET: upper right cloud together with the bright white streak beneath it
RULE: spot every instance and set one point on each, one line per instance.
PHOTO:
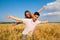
(53, 8)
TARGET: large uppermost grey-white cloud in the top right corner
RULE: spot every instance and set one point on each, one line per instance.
(53, 7)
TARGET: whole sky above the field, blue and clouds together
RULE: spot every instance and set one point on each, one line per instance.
(18, 7)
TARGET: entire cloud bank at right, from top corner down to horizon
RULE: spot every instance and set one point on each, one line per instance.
(52, 11)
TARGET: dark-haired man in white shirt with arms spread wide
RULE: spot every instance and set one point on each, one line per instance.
(29, 23)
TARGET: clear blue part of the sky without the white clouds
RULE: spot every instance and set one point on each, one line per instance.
(18, 7)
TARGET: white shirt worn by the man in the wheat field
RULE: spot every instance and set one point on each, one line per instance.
(29, 25)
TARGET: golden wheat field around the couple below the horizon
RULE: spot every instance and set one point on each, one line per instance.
(47, 31)
